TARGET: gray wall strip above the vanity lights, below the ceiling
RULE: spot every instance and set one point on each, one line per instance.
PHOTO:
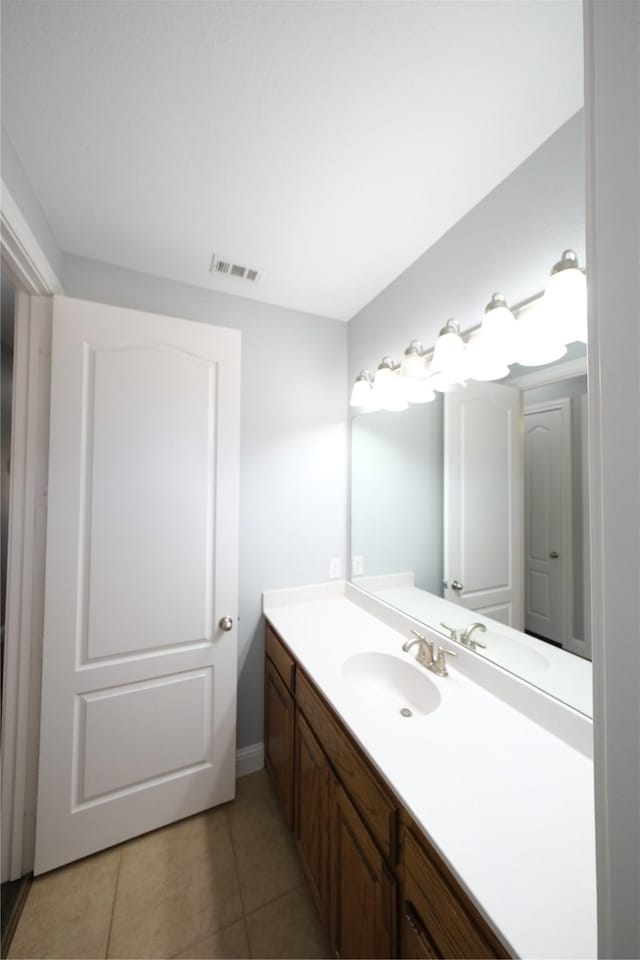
(507, 243)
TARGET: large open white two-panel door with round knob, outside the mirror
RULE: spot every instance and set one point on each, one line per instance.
(139, 680)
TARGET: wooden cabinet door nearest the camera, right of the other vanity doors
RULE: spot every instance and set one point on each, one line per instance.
(363, 890)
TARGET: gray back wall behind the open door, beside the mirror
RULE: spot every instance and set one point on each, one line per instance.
(293, 442)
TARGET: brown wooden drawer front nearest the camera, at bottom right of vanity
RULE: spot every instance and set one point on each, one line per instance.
(452, 923)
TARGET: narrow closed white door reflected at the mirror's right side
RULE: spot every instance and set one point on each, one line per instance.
(548, 520)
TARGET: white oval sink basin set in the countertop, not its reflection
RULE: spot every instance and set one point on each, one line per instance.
(390, 684)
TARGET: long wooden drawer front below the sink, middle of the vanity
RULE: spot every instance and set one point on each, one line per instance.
(374, 804)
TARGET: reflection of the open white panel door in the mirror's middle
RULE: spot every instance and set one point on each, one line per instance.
(483, 520)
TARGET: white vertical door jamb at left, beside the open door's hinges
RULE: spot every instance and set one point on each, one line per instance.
(25, 581)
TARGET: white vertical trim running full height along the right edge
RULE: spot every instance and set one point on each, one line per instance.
(612, 134)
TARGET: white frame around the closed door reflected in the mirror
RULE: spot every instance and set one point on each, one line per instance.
(564, 406)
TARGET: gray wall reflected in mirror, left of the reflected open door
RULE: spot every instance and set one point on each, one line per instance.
(396, 476)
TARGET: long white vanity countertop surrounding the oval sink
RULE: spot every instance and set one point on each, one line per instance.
(508, 805)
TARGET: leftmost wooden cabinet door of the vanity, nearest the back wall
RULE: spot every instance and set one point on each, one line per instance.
(279, 719)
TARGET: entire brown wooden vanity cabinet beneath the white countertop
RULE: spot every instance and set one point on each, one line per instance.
(381, 891)
